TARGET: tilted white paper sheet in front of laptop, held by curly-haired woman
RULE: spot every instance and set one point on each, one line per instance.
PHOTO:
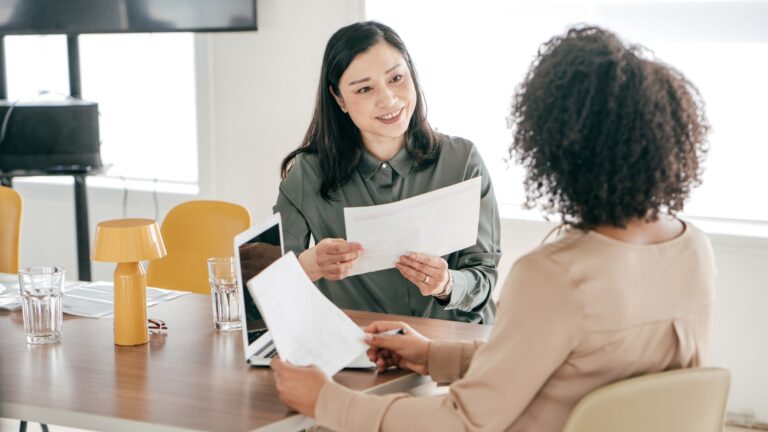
(306, 327)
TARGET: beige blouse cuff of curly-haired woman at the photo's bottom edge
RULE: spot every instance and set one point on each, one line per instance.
(341, 409)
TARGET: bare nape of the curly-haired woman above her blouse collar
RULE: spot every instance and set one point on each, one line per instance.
(642, 232)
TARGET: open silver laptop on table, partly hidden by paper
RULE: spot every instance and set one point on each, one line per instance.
(255, 249)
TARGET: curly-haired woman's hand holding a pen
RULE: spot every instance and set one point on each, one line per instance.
(407, 351)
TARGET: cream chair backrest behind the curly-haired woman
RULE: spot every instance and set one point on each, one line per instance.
(684, 400)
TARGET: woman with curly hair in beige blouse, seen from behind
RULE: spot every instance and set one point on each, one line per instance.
(612, 143)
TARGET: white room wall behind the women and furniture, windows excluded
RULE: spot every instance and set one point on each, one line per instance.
(256, 92)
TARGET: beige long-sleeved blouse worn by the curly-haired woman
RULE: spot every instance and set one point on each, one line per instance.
(575, 315)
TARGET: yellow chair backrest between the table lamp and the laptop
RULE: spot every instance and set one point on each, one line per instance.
(193, 232)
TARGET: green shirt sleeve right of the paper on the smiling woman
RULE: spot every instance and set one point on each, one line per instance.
(475, 272)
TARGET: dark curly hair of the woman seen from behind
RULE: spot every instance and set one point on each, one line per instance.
(605, 135)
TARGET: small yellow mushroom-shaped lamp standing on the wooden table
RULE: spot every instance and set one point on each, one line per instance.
(127, 242)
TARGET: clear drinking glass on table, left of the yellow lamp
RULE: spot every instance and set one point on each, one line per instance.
(41, 303)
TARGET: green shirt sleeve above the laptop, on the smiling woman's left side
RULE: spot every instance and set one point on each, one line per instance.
(289, 202)
